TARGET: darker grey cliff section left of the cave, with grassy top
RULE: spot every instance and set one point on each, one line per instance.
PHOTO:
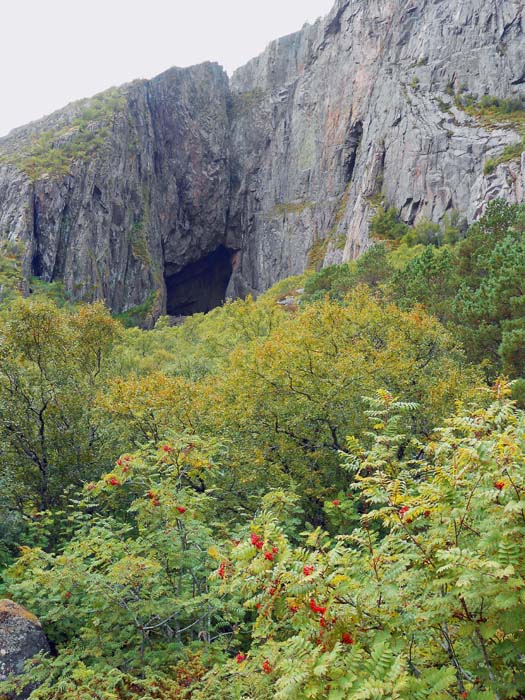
(150, 200)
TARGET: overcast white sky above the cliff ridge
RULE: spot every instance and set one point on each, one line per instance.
(56, 51)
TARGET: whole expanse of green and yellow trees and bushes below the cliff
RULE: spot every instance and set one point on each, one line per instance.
(322, 502)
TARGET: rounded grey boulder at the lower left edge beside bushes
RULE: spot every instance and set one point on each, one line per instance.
(21, 638)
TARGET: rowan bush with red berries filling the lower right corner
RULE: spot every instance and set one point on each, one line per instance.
(422, 600)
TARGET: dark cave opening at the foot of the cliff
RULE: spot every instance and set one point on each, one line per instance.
(200, 286)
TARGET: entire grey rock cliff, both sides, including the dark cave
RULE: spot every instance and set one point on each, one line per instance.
(253, 180)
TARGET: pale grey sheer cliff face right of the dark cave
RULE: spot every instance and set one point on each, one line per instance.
(355, 106)
